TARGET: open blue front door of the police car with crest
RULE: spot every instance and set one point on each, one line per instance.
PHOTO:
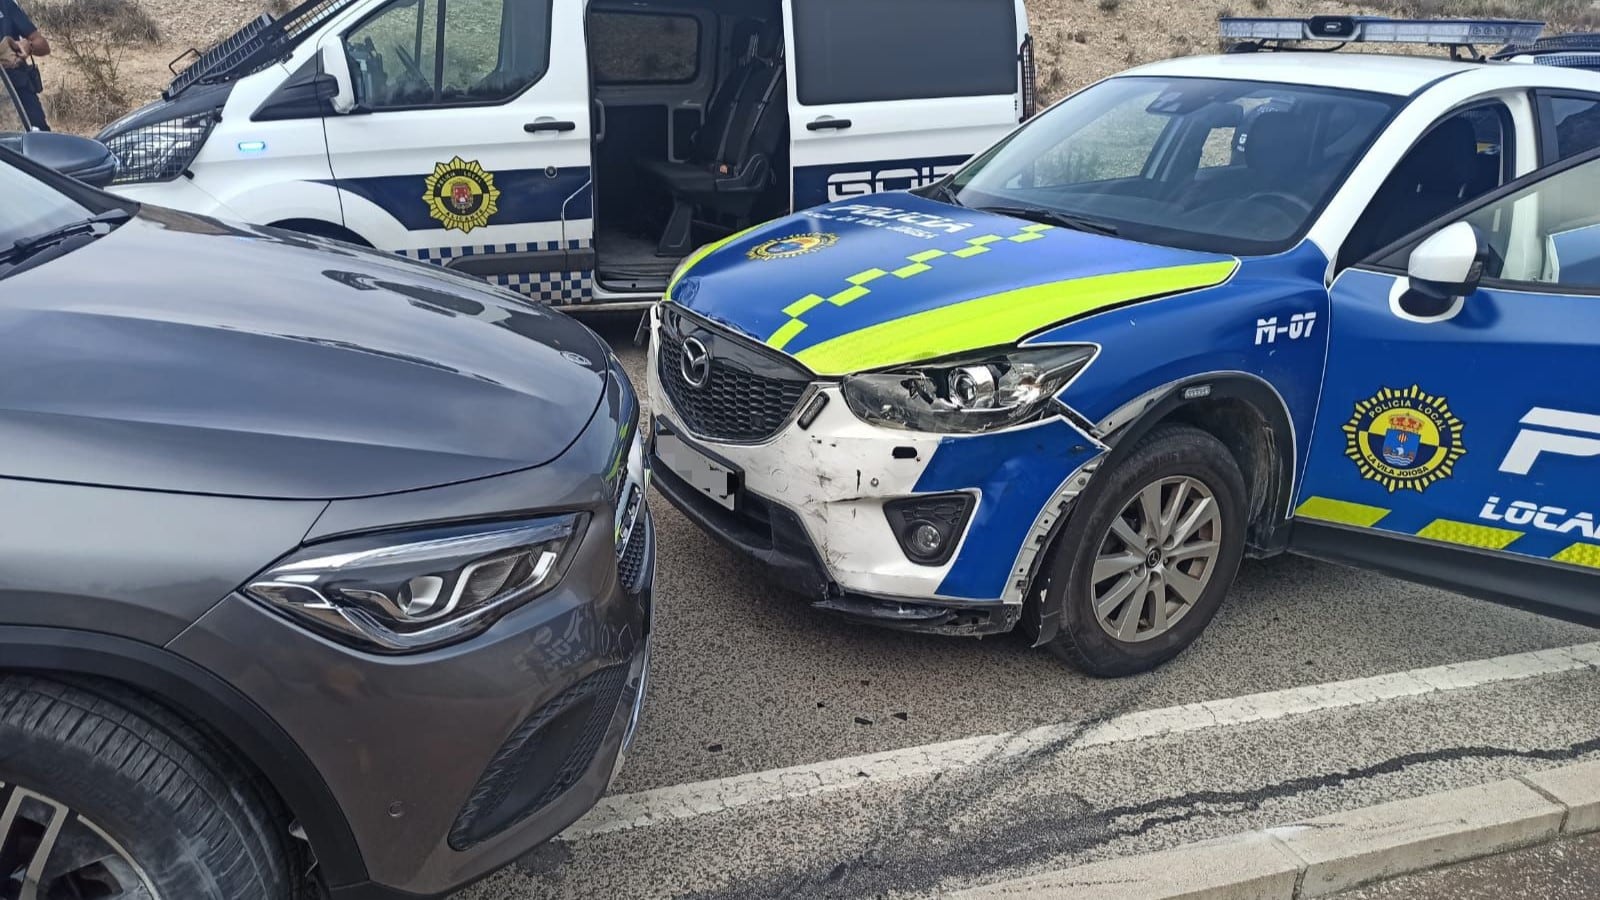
(1460, 430)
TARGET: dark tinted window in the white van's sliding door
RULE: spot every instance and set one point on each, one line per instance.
(879, 50)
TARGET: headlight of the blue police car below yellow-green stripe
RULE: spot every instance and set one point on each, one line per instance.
(972, 395)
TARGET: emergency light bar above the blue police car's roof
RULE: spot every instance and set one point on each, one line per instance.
(1378, 30)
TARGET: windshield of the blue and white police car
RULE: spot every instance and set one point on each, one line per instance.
(1204, 164)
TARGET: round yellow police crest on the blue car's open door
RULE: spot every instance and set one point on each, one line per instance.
(1404, 440)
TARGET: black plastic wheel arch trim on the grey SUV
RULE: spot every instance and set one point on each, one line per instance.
(199, 696)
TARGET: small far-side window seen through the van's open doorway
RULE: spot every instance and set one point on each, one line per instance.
(644, 49)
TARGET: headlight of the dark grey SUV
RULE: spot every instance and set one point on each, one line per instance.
(401, 592)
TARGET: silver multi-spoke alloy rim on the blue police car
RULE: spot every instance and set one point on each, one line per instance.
(1156, 560)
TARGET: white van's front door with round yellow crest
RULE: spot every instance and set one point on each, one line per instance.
(466, 140)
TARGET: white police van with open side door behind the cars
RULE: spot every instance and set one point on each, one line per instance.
(575, 151)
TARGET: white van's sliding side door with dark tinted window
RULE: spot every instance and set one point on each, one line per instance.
(897, 94)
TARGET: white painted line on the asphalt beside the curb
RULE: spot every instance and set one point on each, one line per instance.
(703, 798)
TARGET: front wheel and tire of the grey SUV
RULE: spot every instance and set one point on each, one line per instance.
(142, 798)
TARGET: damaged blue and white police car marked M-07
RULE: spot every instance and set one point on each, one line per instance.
(1214, 307)
